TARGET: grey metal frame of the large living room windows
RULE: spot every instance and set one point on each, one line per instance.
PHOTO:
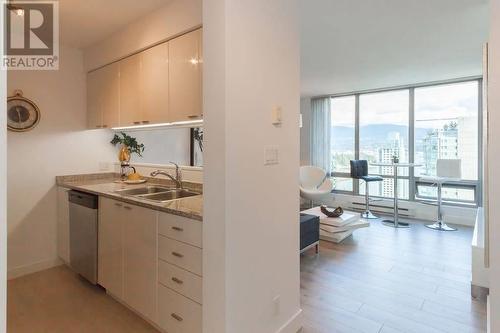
(413, 180)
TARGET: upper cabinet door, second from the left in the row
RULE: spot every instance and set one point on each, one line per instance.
(110, 95)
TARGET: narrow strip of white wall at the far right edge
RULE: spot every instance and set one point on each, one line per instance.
(494, 163)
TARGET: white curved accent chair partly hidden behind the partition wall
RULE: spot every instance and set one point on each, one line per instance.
(314, 183)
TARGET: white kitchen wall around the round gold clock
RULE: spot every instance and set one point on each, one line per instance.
(58, 145)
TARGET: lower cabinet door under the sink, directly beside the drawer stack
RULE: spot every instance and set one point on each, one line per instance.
(139, 259)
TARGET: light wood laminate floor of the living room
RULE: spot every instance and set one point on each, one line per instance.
(386, 280)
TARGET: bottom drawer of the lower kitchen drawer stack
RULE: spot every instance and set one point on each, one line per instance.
(178, 314)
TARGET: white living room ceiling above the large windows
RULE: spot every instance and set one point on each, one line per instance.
(349, 45)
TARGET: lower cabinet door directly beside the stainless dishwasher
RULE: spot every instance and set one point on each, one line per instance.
(110, 240)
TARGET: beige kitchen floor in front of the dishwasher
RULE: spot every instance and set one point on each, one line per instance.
(59, 301)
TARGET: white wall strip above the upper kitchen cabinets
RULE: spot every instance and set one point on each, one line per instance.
(176, 17)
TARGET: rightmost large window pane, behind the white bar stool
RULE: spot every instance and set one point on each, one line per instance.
(446, 127)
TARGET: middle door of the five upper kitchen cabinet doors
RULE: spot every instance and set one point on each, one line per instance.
(130, 110)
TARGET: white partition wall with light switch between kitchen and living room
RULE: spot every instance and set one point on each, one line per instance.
(251, 229)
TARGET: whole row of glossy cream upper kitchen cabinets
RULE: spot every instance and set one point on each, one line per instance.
(159, 85)
